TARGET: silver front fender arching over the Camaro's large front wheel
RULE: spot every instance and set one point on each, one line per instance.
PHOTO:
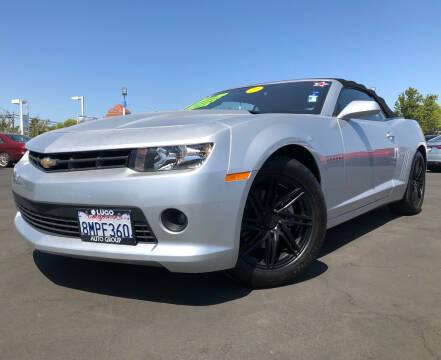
(255, 140)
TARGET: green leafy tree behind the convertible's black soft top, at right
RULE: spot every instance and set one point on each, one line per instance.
(411, 104)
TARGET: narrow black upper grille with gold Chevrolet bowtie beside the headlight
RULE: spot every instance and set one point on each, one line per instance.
(83, 160)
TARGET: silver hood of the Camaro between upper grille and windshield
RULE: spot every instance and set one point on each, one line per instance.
(149, 129)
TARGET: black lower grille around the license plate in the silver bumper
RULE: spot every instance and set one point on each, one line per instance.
(62, 219)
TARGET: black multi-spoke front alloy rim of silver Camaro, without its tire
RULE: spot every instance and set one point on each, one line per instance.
(277, 222)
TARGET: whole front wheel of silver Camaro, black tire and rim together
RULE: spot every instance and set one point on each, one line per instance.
(283, 226)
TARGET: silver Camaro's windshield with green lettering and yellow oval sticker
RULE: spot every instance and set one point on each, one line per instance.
(303, 97)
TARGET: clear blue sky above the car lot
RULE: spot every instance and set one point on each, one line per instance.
(170, 54)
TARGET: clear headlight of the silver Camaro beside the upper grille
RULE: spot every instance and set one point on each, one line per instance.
(177, 157)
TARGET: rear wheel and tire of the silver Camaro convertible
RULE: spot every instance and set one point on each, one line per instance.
(412, 202)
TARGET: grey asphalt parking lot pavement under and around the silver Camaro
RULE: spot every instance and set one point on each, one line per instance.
(374, 293)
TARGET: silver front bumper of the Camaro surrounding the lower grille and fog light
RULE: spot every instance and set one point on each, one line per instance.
(213, 207)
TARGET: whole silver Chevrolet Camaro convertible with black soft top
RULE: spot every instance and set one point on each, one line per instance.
(246, 180)
